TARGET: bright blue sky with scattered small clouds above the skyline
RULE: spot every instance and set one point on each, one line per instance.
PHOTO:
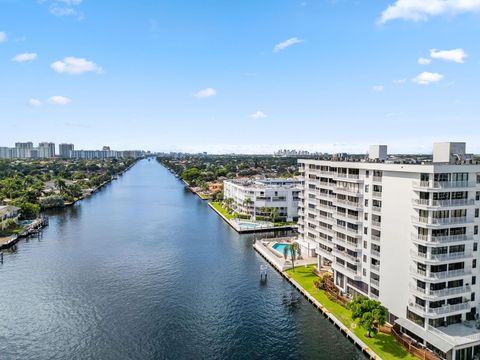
(245, 76)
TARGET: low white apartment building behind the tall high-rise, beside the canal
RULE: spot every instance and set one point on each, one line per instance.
(257, 198)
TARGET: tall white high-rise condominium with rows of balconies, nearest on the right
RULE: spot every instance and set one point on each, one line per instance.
(405, 234)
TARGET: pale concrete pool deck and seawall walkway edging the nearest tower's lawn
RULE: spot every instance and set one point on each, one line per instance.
(263, 248)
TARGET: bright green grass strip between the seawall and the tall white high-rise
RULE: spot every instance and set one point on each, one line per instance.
(383, 344)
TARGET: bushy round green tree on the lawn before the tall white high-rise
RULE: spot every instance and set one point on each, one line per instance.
(371, 314)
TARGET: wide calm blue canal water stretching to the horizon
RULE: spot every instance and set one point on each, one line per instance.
(145, 270)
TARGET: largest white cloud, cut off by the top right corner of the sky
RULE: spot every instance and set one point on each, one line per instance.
(421, 10)
